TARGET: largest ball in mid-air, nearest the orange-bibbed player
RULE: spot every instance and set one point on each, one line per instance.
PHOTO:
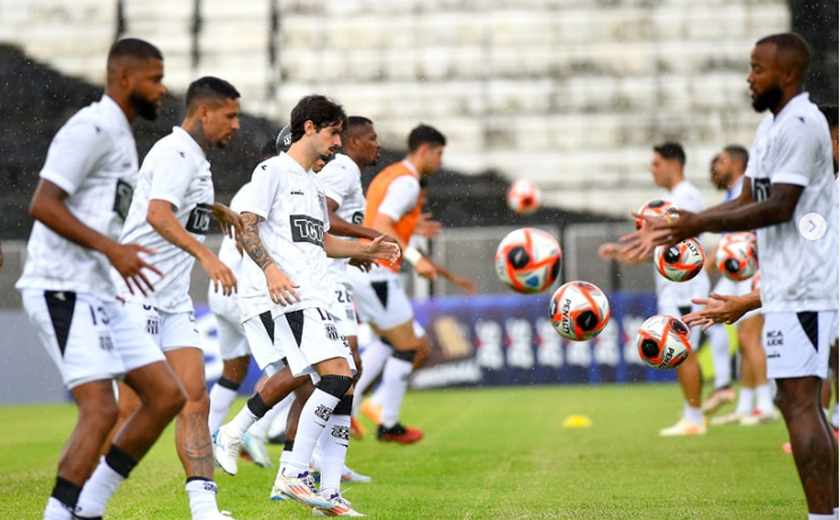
(528, 260)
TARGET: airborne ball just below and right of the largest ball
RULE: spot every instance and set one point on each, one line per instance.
(579, 311)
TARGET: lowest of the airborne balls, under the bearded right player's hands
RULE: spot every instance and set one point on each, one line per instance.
(663, 342)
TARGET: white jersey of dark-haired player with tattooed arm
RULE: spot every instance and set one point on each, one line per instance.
(294, 208)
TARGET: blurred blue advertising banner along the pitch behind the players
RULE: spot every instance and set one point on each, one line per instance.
(495, 340)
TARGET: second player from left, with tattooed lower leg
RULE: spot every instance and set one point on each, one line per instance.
(171, 212)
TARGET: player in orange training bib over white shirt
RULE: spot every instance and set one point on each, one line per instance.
(393, 207)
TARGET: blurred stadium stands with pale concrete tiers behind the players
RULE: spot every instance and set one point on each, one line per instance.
(571, 94)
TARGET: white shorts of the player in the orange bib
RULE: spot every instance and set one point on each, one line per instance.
(380, 298)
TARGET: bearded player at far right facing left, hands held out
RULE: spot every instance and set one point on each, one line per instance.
(791, 176)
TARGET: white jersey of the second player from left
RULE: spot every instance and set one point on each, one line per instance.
(175, 170)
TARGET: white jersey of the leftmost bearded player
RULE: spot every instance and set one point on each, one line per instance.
(93, 158)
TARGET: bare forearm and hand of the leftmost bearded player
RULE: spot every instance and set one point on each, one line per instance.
(48, 208)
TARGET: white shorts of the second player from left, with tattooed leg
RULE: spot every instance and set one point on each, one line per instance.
(169, 330)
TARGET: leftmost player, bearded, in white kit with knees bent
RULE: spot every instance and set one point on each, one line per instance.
(79, 207)
